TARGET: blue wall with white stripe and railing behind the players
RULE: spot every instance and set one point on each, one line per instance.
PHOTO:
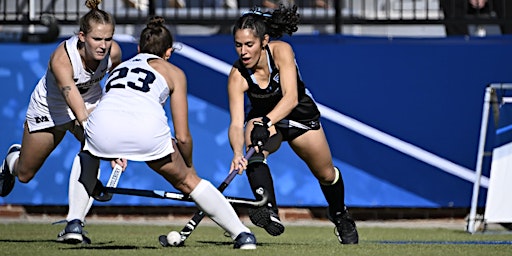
(400, 90)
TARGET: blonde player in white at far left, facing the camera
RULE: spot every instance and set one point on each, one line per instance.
(62, 101)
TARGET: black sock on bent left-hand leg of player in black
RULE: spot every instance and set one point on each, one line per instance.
(259, 175)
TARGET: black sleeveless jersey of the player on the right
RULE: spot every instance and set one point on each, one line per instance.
(264, 100)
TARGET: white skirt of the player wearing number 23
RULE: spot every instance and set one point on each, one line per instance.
(135, 136)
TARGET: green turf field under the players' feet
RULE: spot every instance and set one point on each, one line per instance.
(125, 239)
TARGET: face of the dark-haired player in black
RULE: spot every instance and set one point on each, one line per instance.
(248, 46)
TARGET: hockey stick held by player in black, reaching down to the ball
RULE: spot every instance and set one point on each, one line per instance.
(187, 230)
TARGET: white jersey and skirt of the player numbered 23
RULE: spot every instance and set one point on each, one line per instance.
(130, 121)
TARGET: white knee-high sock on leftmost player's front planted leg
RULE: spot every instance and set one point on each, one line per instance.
(79, 201)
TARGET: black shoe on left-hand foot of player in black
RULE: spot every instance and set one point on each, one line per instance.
(266, 218)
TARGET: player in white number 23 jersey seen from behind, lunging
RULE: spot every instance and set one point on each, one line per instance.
(130, 123)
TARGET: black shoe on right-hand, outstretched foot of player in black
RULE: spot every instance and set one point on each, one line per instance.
(345, 228)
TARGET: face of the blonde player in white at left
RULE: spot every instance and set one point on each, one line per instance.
(98, 41)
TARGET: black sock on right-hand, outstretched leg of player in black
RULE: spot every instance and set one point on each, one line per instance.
(335, 194)
